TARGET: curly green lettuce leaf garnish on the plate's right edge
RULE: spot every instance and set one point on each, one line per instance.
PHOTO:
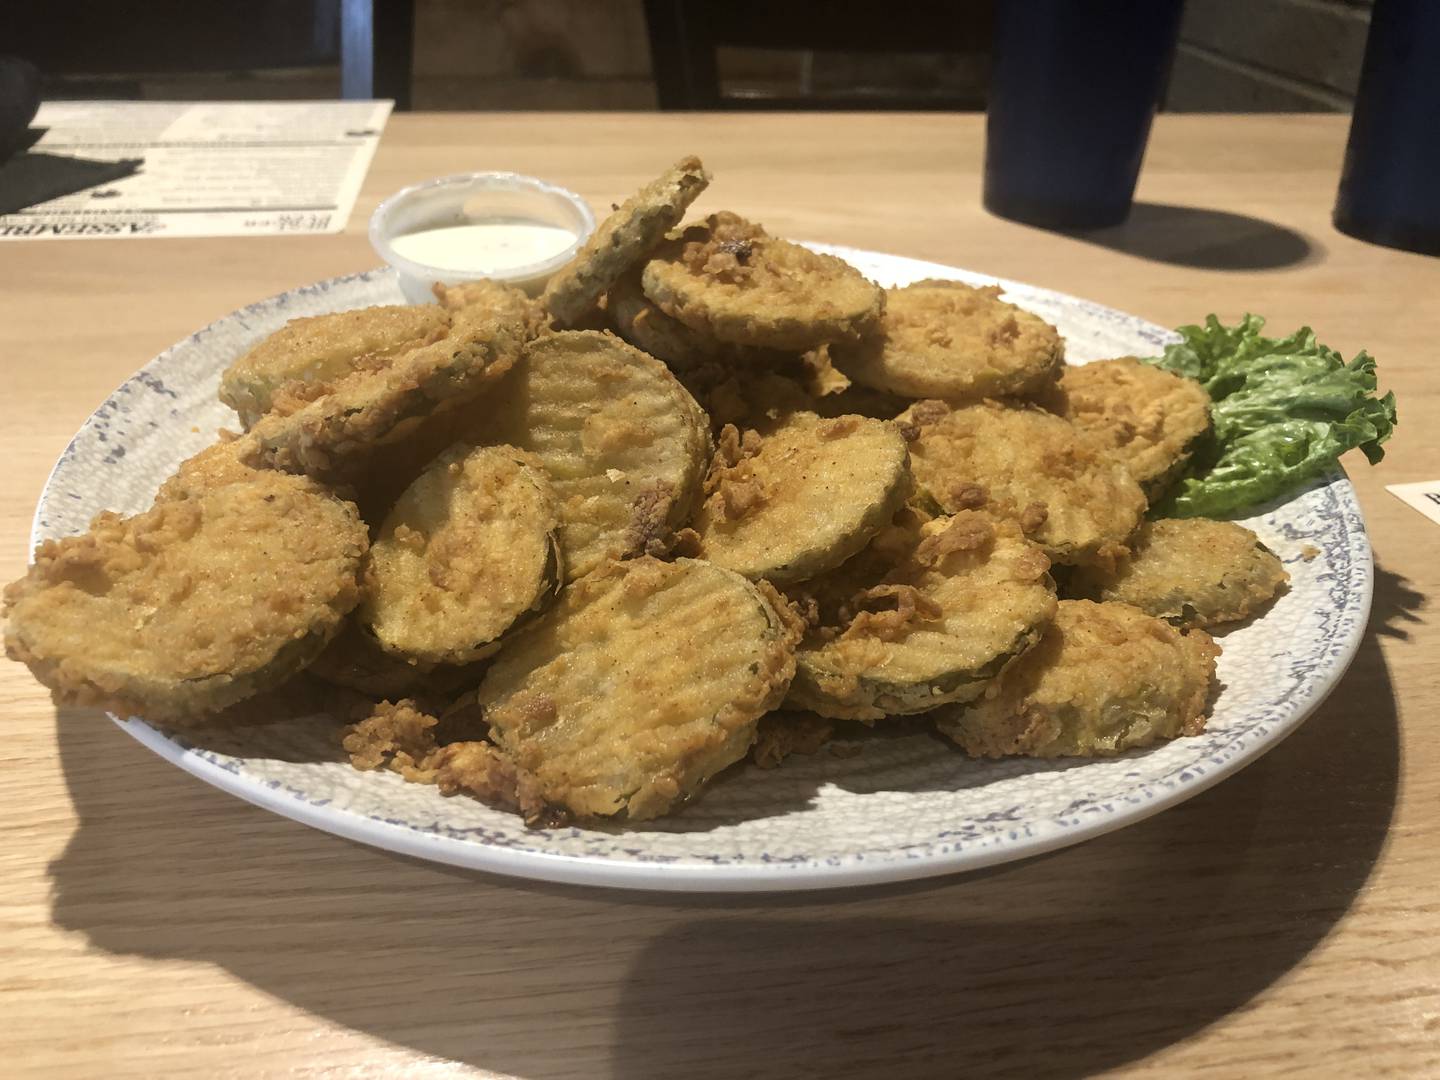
(1284, 411)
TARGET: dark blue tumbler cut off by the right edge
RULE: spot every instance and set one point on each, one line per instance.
(1390, 185)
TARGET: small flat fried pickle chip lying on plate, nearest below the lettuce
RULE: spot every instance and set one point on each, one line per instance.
(1192, 572)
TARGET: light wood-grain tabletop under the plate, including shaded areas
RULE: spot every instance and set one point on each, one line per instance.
(1282, 924)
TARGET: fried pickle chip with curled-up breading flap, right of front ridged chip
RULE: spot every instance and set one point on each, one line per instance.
(960, 598)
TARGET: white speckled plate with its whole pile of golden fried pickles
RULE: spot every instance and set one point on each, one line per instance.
(725, 564)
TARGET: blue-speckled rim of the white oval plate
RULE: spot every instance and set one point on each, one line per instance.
(780, 876)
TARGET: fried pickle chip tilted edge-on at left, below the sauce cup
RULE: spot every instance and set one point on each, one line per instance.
(336, 437)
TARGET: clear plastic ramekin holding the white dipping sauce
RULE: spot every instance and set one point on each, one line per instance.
(469, 199)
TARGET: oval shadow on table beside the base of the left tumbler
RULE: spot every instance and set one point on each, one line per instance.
(1205, 240)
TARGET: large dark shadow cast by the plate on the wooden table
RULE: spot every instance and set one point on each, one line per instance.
(1063, 966)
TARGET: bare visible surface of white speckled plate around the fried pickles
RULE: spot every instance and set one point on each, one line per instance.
(905, 807)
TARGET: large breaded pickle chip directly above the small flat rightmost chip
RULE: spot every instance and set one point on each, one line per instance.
(1069, 495)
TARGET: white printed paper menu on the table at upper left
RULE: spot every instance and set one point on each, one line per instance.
(210, 169)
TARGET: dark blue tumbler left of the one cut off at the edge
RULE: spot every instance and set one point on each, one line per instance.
(1074, 91)
